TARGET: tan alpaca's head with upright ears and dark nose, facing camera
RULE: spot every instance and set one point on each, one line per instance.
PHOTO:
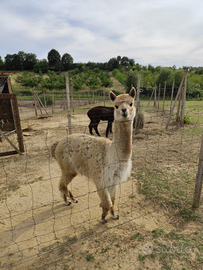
(124, 105)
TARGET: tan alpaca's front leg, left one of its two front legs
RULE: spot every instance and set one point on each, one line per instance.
(106, 204)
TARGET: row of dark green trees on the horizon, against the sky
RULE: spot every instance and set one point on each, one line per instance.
(55, 62)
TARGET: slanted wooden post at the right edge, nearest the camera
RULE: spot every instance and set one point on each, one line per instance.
(199, 179)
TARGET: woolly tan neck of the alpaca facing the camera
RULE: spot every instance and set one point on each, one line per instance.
(122, 140)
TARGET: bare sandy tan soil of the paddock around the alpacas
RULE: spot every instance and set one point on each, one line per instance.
(37, 231)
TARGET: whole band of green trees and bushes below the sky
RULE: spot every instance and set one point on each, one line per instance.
(95, 75)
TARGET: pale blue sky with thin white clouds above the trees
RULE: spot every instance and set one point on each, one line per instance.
(157, 32)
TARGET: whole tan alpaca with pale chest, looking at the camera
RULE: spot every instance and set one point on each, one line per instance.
(107, 163)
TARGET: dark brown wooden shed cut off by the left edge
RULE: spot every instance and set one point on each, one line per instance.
(9, 114)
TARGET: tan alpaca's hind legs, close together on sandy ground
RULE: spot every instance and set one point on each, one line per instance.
(63, 187)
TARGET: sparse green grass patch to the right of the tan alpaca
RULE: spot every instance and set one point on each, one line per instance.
(167, 174)
